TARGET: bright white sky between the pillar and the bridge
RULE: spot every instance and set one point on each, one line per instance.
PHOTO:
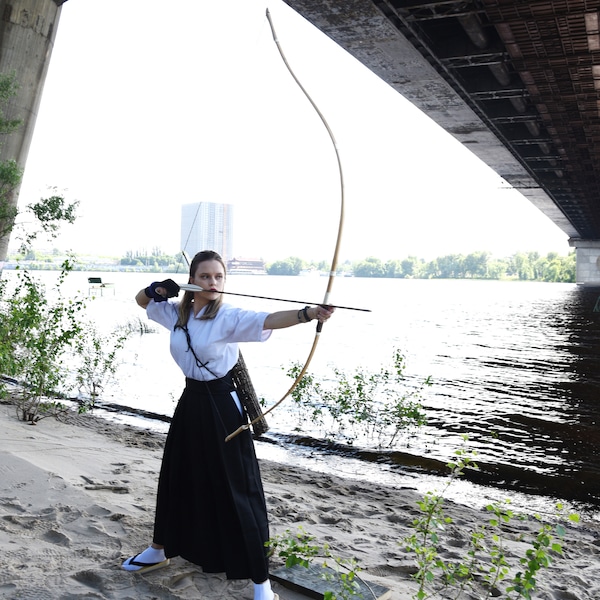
(149, 105)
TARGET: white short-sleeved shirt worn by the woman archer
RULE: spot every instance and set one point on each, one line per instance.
(215, 341)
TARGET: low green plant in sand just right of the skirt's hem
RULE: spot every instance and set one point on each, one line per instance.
(341, 575)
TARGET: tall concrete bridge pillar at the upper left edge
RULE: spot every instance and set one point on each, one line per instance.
(27, 32)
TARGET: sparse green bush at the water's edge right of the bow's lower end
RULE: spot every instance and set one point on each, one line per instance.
(361, 405)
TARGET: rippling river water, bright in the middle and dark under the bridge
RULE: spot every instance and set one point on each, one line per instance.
(515, 366)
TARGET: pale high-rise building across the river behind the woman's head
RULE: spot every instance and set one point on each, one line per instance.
(207, 226)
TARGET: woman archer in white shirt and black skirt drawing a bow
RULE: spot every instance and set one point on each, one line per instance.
(210, 505)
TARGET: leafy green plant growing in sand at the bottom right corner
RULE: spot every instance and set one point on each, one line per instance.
(487, 560)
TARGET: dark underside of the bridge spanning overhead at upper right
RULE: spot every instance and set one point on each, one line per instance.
(515, 81)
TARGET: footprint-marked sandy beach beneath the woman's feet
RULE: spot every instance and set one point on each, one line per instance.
(77, 497)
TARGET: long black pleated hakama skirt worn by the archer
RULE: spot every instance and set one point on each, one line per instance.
(211, 506)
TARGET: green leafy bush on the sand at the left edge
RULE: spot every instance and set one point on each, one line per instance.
(48, 347)
